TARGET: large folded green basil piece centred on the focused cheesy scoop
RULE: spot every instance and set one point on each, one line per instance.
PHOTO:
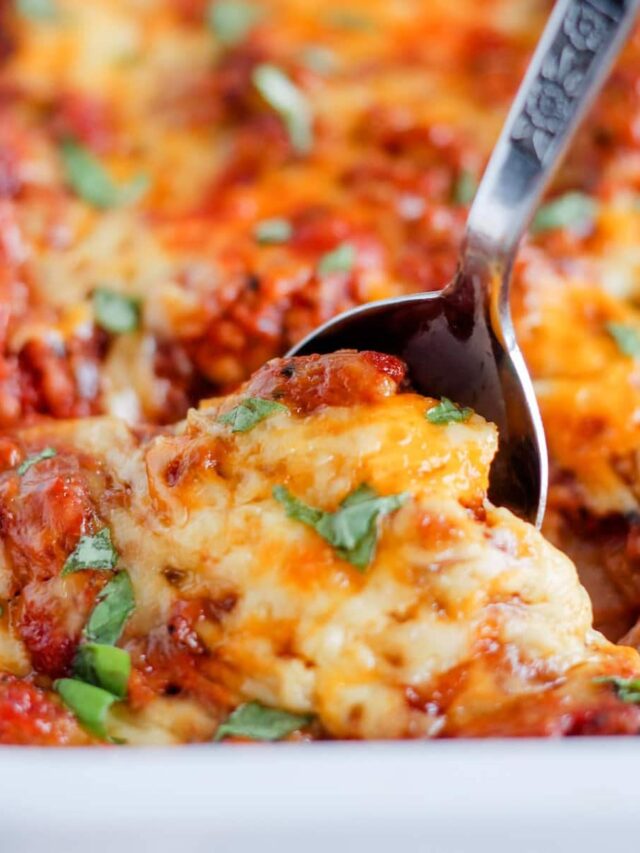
(351, 529)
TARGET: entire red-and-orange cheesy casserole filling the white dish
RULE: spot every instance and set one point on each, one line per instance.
(201, 540)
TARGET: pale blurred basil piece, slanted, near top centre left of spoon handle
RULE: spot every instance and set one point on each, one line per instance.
(289, 102)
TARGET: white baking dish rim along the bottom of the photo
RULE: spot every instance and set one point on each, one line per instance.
(519, 796)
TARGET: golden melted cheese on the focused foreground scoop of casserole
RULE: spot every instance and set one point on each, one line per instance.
(457, 591)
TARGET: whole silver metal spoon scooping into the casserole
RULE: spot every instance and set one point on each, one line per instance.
(459, 342)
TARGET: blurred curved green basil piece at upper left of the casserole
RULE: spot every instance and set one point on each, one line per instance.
(87, 177)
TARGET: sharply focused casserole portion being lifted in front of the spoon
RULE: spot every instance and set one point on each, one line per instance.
(332, 557)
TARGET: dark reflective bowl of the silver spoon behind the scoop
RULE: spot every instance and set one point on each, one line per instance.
(451, 351)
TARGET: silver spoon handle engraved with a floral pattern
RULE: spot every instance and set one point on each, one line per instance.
(577, 48)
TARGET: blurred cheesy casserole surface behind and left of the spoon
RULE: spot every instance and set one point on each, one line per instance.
(148, 88)
